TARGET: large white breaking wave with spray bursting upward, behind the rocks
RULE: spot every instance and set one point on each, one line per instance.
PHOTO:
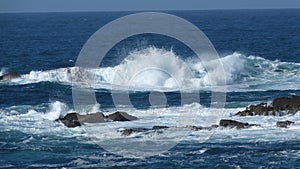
(162, 70)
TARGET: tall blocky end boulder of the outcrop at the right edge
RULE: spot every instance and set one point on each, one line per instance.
(290, 104)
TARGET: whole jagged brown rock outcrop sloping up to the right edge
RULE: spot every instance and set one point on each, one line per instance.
(288, 104)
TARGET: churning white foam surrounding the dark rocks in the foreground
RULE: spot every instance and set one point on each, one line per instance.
(31, 120)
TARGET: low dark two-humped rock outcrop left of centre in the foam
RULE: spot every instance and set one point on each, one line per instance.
(75, 119)
